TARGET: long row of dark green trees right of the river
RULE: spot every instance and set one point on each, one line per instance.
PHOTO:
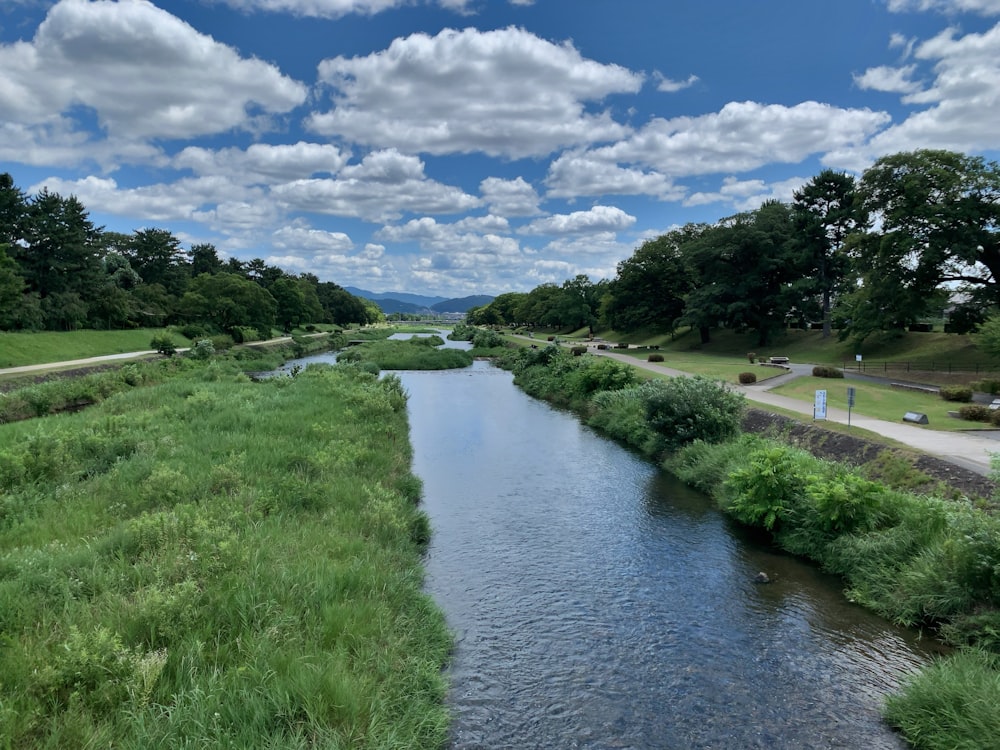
(915, 236)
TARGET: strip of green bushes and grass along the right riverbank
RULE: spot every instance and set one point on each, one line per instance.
(917, 560)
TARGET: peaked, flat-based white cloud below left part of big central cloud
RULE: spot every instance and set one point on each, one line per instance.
(384, 186)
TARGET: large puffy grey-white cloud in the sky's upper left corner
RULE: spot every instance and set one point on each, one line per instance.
(140, 71)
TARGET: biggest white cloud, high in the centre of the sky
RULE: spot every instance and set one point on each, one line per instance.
(505, 93)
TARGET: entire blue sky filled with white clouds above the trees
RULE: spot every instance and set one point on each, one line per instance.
(457, 147)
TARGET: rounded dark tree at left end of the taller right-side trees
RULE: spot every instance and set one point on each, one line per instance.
(650, 287)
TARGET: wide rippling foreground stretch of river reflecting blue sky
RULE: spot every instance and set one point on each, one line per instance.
(598, 603)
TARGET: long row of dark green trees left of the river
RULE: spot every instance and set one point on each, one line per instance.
(58, 271)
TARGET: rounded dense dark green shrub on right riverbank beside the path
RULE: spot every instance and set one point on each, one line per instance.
(696, 408)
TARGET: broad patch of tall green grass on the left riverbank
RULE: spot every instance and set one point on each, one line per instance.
(215, 562)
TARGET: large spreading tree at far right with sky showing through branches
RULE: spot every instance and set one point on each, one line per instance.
(937, 218)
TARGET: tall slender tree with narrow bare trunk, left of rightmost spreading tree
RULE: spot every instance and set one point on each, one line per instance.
(826, 211)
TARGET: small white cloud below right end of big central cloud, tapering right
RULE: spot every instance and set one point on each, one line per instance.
(576, 174)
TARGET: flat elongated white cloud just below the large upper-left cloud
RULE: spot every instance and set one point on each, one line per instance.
(264, 163)
